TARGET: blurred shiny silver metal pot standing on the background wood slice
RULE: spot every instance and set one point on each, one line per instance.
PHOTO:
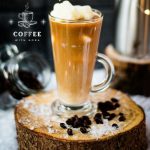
(133, 28)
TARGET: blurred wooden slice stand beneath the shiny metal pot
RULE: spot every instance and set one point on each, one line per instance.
(132, 75)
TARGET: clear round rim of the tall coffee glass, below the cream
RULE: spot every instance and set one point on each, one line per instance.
(82, 20)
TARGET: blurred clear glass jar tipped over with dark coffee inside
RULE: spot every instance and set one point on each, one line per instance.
(20, 76)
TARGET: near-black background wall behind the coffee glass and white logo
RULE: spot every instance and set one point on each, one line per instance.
(9, 9)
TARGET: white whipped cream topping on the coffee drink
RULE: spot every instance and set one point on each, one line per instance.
(66, 10)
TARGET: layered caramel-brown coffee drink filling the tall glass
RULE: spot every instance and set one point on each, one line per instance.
(75, 46)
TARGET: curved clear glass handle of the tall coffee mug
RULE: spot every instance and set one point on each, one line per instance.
(106, 62)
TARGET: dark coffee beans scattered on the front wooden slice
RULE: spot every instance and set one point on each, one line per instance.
(84, 122)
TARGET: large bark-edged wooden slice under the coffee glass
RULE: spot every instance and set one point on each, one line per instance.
(38, 129)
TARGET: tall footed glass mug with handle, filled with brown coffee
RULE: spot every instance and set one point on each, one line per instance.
(75, 46)
